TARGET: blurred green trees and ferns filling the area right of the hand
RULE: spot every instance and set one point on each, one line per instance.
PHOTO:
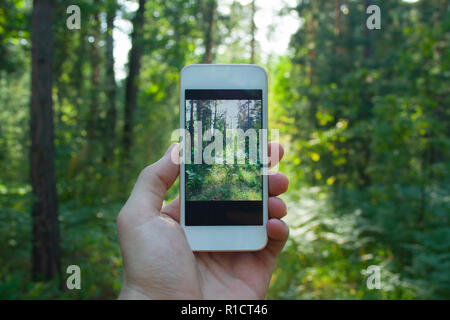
(368, 124)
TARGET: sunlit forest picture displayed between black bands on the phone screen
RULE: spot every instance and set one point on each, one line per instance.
(224, 179)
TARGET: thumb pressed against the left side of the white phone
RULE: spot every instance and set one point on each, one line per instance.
(154, 181)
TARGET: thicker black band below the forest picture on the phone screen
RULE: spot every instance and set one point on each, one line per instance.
(224, 213)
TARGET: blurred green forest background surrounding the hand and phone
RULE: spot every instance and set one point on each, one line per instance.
(363, 116)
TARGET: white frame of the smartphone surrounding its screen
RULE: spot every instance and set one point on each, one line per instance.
(224, 76)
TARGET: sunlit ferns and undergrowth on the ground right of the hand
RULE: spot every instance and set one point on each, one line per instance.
(326, 257)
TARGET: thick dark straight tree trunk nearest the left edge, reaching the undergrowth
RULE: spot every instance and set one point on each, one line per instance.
(45, 251)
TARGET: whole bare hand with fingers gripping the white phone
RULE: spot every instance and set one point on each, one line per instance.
(158, 262)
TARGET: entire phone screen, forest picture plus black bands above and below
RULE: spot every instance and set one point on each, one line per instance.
(223, 159)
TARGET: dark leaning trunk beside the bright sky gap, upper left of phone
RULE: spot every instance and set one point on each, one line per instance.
(133, 75)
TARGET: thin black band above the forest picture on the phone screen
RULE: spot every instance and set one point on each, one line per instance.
(200, 94)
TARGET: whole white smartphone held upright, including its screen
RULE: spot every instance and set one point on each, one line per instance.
(223, 191)
